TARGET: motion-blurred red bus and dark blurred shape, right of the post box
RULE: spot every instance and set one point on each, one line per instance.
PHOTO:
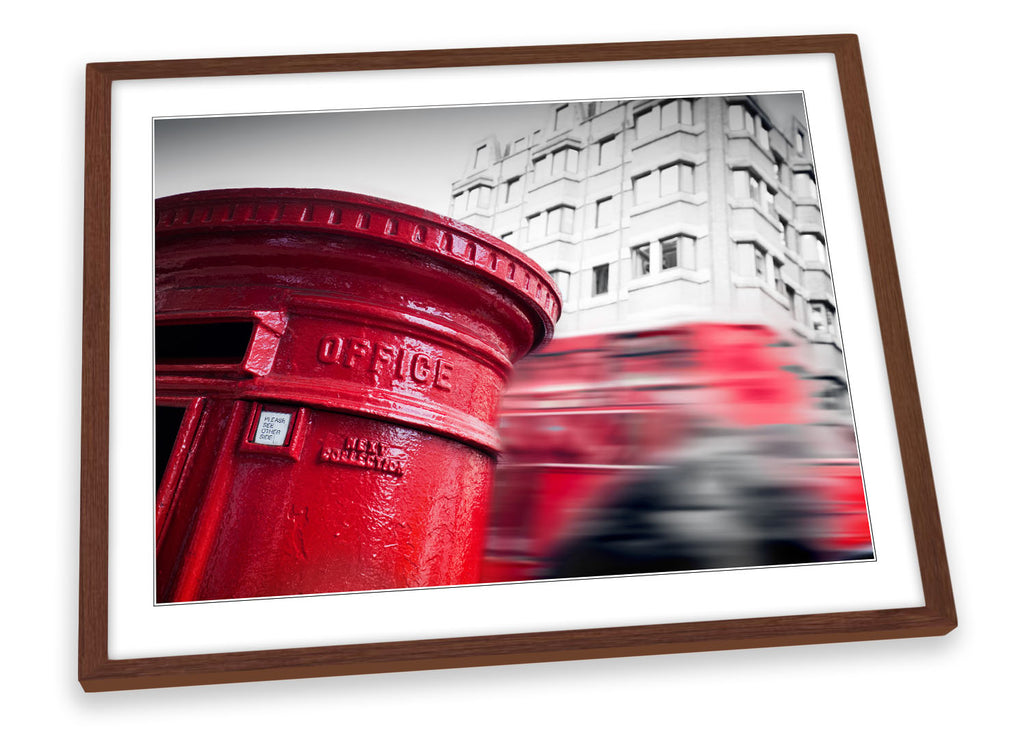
(681, 449)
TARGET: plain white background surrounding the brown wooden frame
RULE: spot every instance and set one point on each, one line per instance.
(947, 121)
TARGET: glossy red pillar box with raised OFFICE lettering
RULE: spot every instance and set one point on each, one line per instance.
(329, 371)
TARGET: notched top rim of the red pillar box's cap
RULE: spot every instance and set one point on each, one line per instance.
(343, 215)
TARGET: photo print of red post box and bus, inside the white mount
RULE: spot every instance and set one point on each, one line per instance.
(495, 344)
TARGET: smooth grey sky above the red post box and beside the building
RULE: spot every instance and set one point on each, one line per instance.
(410, 156)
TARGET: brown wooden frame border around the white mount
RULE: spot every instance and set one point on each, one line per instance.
(98, 672)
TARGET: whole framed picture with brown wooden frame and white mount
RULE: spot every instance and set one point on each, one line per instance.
(307, 452)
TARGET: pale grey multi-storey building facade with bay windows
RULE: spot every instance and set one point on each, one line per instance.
(660, 211)
